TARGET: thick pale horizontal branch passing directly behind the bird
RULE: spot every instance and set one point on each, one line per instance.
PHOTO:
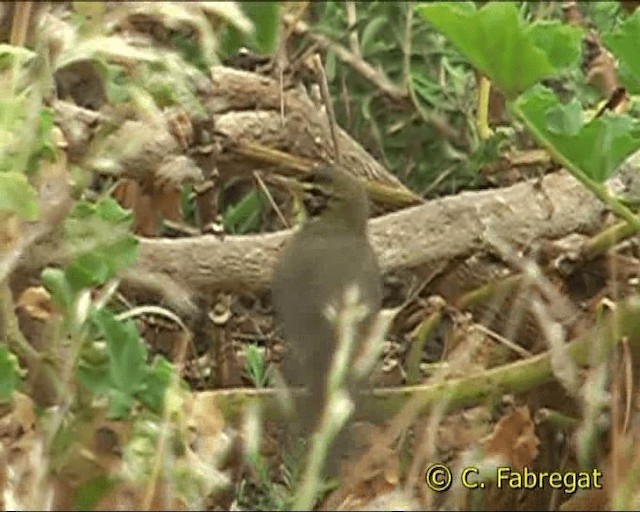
(440, 230)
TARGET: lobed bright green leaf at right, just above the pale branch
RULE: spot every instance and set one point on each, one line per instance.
(597, 148)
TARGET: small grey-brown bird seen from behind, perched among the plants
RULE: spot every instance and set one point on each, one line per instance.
(329, 253)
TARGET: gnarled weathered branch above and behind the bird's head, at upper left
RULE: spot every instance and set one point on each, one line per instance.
(246, 110)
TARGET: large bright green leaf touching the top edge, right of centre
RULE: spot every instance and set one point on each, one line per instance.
(495, 41)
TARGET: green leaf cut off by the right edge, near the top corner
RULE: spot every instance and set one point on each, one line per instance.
(625, 43)
